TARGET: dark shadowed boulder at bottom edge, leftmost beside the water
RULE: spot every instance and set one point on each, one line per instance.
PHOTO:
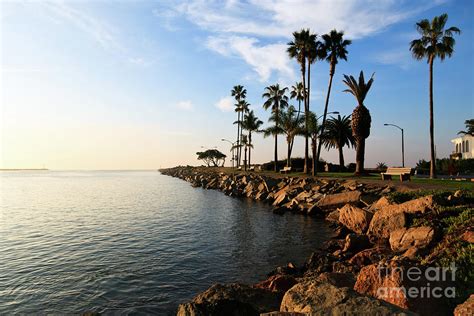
(231, 299)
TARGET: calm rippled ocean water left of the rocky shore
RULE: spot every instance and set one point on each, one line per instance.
(132, 242)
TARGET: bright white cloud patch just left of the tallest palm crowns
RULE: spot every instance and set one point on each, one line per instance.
(264, 59)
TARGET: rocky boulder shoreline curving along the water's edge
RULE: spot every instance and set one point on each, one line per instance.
(388, 247)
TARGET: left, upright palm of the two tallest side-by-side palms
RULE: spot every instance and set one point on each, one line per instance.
(299, 49)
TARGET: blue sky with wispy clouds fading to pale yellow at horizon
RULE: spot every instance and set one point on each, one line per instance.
(146, 84)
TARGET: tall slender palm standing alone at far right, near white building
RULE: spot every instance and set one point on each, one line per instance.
(435, 41)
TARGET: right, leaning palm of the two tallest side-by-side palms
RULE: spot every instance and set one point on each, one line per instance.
(334, 48)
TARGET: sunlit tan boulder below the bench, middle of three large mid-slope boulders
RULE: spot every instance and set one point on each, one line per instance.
(386, 221)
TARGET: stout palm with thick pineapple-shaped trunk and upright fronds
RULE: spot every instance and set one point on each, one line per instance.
(361, 119)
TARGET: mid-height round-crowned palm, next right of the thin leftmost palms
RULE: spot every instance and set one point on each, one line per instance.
(276, 100)
